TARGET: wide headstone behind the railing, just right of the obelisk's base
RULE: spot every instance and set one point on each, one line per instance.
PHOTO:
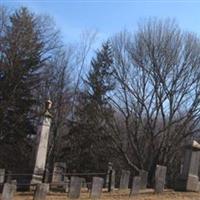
(58, 172)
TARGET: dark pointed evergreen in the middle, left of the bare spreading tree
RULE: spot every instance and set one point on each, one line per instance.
(87, 138)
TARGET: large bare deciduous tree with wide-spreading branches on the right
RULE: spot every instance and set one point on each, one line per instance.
(158, 96)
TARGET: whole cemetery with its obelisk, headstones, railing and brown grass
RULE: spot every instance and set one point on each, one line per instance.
(98, 185)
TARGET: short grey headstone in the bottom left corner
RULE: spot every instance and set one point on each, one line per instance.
(9, 190)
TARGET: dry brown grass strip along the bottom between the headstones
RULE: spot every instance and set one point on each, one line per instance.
(145, 195)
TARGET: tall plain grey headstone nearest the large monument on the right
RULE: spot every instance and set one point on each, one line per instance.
(160, 177)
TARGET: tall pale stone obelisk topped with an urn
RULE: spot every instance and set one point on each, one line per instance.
(42, 144)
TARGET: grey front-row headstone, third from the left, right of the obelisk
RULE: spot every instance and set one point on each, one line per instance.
(75, 187)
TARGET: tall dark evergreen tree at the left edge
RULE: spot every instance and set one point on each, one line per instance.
(22, 55)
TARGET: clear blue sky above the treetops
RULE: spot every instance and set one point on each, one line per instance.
(109, 17)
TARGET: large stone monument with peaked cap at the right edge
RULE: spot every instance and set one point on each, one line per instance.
(188, 179)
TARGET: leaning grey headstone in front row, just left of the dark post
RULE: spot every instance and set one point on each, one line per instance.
(97, 185)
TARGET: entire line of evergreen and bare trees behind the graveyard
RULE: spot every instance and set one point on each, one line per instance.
(134, 103)
